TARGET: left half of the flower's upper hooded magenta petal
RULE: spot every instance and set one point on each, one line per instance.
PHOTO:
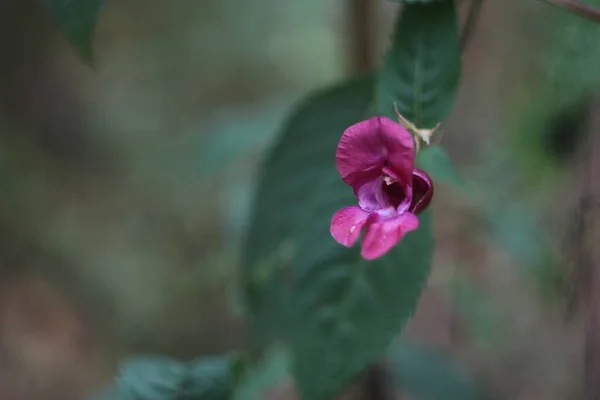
(360, 153)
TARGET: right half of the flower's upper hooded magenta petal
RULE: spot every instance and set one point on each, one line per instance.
(399, 145)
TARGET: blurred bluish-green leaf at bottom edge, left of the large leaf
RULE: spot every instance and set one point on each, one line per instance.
(162, 378)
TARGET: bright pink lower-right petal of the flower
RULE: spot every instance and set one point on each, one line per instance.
(382, 235)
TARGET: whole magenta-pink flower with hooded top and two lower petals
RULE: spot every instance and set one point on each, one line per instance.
(376, 158)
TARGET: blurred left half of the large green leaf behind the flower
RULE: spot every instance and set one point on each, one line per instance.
(304, 151)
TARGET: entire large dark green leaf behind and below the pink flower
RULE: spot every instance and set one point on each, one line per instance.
(339, 312)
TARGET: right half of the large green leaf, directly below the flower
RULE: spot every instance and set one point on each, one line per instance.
(348, 310)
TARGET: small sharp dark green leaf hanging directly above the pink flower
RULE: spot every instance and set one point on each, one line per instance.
(421, 70)
